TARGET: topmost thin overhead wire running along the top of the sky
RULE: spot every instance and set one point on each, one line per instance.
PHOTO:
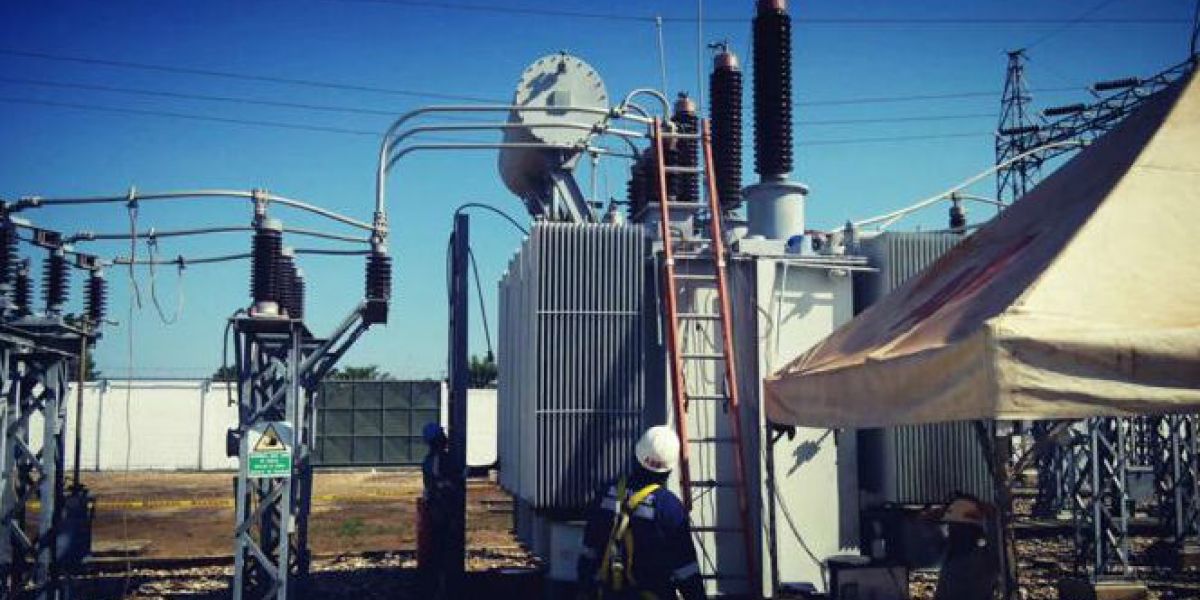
(814, 21)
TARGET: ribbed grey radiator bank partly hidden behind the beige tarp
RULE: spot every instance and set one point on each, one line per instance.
(916, 464)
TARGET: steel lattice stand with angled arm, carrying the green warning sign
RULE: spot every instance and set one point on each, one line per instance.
(280, 367)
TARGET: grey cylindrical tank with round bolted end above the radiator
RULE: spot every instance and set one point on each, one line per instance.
(553, 82)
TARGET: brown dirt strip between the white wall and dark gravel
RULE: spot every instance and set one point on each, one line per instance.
(352, 512)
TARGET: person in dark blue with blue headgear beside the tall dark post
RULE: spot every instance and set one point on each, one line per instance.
(439, 502)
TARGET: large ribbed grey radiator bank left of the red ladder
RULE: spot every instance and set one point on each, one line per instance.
(572, 381)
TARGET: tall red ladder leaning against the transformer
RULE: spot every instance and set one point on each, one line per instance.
(682, 394)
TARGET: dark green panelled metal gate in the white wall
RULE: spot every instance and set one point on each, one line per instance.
(374, 424)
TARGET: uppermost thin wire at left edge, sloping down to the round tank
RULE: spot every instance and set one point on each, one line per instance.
(249, 77)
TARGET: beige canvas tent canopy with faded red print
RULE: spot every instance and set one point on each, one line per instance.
(1083, 299)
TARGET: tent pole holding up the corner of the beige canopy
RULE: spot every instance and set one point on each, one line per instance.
(998, 455)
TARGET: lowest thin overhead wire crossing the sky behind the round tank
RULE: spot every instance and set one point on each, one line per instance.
(320, 129)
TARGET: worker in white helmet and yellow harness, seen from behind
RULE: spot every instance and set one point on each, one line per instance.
(638, 543)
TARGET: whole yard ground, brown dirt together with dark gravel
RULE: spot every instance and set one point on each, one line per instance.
(363, 536)
